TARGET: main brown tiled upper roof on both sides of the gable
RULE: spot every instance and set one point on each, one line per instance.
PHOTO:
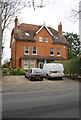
(19, 34)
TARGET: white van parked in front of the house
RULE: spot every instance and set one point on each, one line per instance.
(53, 70)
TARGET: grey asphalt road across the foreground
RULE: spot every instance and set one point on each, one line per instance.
(45, 104)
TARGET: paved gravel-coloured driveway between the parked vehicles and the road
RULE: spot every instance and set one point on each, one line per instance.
(19, 84)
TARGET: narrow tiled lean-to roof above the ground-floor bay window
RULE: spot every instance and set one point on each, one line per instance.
(41, 57)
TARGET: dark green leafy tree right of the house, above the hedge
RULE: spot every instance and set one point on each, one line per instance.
(74, 44)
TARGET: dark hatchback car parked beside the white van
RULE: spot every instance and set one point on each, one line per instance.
(34, 73)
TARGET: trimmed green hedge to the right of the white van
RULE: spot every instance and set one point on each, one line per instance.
(71, 67)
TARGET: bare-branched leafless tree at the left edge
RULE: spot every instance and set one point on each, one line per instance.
(10, 8)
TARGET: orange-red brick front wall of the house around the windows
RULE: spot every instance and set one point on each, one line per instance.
(43, 48)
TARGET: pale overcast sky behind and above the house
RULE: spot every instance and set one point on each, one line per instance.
(52, 14)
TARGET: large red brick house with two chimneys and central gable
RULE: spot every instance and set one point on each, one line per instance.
(33, 45)
